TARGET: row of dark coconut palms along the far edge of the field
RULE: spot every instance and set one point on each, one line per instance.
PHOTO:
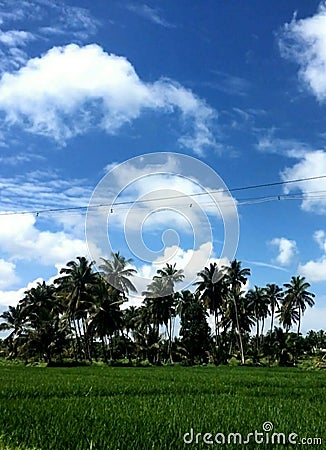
(83, 316)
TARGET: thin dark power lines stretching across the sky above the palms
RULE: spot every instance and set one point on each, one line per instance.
(218, 191)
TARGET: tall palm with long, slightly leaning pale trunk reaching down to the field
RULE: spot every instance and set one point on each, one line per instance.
(235, 278)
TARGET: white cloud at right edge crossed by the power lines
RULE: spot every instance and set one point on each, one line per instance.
(311, 164)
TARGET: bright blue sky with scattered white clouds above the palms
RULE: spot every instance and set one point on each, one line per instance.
(160, 111)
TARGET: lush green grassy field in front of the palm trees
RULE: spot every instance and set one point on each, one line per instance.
(152, 408)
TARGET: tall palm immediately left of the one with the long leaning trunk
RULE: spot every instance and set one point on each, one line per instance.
(211, 289)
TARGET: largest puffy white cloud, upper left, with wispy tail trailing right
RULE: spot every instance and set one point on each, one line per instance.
(70, 89)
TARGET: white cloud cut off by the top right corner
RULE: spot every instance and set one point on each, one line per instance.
(304, 41)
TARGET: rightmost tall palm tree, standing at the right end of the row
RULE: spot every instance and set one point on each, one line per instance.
(297, 295)
